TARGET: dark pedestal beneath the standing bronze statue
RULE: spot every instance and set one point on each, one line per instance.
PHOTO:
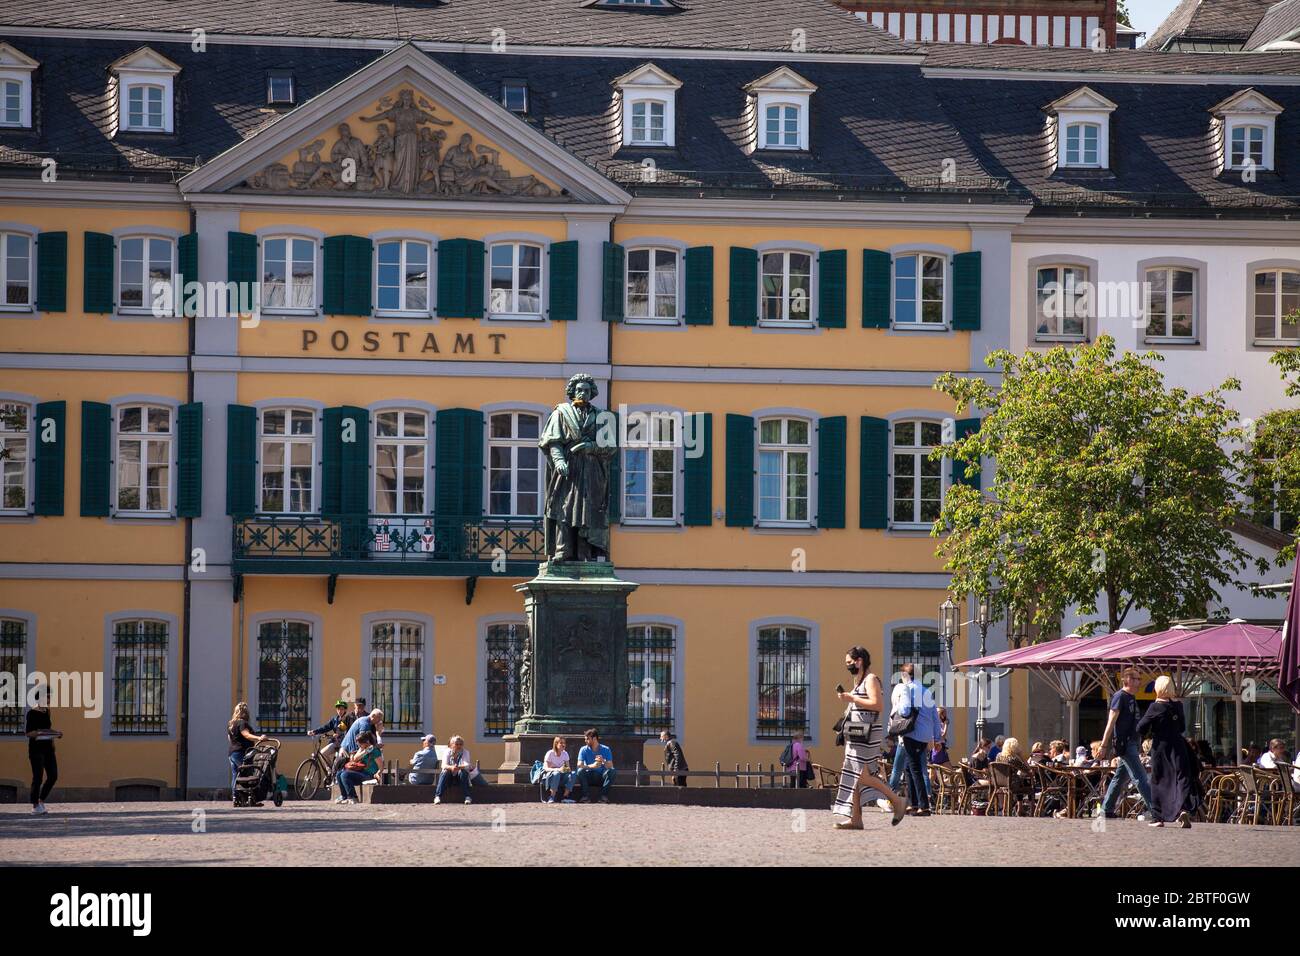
(575, 669)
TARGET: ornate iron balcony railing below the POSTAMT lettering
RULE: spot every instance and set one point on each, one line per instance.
(388, 544)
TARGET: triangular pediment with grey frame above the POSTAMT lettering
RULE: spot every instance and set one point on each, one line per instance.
(404, 128)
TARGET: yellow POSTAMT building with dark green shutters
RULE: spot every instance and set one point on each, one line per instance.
(335, 494)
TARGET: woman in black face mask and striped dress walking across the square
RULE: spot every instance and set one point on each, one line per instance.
(863, 737)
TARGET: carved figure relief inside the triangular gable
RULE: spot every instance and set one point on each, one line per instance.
(406, 157)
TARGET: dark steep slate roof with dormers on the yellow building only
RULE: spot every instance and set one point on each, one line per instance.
(877, 129)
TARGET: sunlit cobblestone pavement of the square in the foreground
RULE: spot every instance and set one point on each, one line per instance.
(518, 834)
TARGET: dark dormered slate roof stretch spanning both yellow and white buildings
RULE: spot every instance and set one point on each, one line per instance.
(879, 131)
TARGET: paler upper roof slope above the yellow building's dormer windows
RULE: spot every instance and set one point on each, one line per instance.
(764, 25)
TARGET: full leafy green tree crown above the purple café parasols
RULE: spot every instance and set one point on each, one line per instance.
(1107, 483)
